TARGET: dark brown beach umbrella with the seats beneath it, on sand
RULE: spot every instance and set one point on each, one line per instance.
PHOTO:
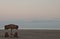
(11, 26)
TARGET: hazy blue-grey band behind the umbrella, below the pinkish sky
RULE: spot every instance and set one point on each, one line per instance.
(34, 24)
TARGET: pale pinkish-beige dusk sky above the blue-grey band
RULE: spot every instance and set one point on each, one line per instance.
(29, 10)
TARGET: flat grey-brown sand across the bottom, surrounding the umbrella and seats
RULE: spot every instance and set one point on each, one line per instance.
(34, 34)
